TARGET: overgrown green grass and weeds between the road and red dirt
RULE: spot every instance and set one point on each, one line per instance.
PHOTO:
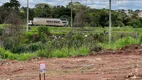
(78, 42)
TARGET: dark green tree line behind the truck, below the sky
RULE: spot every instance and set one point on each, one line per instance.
(82, 14)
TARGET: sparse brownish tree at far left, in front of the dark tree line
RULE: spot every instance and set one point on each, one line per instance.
(13, 34)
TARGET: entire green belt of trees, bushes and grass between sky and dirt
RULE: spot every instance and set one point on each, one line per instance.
(88, 36)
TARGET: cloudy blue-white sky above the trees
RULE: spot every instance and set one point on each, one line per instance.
(99, 4)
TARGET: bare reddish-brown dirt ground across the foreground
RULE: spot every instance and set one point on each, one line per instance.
(122, 64)
